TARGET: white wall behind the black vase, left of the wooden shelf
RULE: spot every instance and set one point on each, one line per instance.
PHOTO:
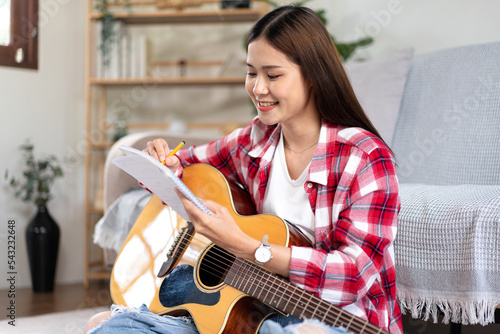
(47, 106)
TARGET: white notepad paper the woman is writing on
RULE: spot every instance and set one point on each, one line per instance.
(157, 178)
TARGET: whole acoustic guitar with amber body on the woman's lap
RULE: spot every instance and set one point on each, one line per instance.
(174, 271)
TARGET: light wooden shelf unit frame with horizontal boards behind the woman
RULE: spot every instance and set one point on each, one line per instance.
(95, 95)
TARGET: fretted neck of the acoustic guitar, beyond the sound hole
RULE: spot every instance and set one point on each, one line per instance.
(280, 294)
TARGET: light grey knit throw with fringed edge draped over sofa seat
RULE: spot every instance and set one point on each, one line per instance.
(448, 252)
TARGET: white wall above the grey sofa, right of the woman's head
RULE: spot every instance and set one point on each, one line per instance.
(426, 25)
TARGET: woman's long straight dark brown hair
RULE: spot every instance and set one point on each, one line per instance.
(301, 36)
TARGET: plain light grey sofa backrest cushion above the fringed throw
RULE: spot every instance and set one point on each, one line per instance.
(448, 128)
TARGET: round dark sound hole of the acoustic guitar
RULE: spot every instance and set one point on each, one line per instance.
(214, 266)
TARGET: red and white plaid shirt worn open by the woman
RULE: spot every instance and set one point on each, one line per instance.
(353, 192)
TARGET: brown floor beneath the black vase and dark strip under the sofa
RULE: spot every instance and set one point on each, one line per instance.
(75, 296)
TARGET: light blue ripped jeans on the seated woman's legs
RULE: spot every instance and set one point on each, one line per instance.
(142, 320)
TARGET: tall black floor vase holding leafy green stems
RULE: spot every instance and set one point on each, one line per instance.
(42, 233)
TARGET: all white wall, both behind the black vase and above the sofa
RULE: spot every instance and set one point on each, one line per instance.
(51, 113)
